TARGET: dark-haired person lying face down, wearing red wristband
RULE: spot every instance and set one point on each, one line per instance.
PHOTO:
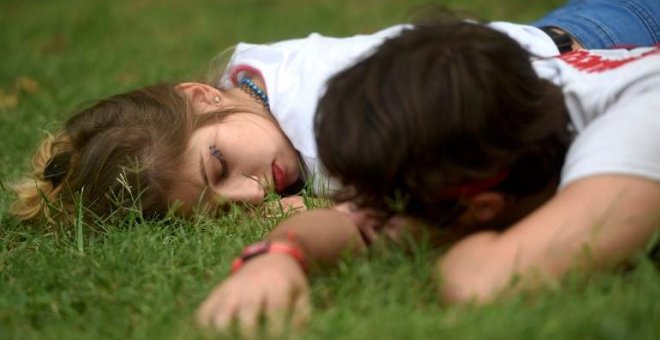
(536, 167)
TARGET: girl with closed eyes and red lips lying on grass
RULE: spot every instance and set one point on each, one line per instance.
(193, 144)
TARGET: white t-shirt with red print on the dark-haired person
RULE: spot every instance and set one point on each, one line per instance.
(613, 99)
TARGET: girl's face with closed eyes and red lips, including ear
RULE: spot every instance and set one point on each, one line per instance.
(237, 159)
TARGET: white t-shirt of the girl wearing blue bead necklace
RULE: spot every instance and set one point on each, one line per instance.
(296, 71)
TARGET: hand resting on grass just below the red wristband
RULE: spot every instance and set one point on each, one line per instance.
(273, 285)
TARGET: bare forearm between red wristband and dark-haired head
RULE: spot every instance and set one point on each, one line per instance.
(323, 234)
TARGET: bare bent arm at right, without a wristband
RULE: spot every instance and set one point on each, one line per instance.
(593, 223)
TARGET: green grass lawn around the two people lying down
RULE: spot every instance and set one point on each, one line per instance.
(145, 280)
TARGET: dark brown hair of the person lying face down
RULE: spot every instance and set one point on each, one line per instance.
(441, 105)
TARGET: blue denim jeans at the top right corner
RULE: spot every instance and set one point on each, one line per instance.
(599, 24)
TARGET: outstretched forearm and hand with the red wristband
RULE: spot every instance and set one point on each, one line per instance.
(274, 284)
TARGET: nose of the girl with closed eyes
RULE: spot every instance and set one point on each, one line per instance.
(241, 190)
